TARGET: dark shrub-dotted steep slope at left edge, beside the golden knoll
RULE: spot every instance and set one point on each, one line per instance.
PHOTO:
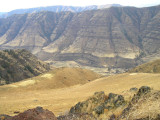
(16, 65)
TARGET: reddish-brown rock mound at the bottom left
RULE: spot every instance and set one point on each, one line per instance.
(37, 113)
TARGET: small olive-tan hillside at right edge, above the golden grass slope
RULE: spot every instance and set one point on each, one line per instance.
(151, 67)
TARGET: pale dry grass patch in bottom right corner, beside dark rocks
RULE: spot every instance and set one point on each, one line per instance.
(147, 106)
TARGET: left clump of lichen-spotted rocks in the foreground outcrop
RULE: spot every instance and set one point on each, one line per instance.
(98, 103)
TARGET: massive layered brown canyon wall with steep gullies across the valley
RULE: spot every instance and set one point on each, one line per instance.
(118, 36)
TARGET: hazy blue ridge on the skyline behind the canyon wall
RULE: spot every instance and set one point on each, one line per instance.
(57, 9)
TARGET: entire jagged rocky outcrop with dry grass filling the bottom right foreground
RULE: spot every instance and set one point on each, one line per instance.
(143, 105)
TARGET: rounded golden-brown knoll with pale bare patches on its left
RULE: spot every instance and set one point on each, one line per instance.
(58, 78)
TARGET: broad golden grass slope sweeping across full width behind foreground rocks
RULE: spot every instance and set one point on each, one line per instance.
(60, 100)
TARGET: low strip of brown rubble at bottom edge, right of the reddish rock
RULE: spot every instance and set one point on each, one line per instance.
(83, 116)
